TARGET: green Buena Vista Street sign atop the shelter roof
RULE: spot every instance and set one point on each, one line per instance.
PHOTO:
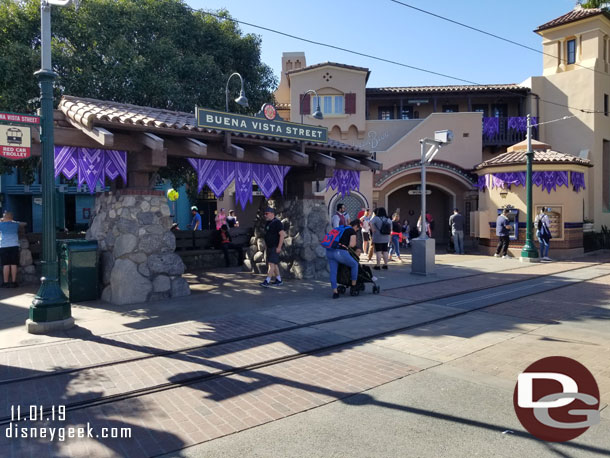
(266, 122)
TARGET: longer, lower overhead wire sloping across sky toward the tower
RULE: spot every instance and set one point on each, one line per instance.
(381, 59)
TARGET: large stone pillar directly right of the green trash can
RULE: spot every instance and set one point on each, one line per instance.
(136, 246)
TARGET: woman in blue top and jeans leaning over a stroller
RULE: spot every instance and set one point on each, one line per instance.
(336, 243)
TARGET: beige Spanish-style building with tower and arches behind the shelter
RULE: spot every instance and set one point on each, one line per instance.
(569, 100)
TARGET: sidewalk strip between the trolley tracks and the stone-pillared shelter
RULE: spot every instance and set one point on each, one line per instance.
(230, 291)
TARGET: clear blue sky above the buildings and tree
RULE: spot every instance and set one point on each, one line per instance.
(388, 30)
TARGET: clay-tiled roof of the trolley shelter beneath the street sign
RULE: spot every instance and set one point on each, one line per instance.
(89, 112)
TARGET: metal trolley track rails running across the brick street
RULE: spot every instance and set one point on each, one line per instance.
(191, 380)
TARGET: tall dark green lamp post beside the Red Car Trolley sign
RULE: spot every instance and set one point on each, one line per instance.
(50, 309)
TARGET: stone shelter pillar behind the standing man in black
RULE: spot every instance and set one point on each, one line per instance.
(302, 255)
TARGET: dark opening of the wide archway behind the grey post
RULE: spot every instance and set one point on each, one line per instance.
(439, 204)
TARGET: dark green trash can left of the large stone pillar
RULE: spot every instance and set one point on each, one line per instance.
(78, 269)
